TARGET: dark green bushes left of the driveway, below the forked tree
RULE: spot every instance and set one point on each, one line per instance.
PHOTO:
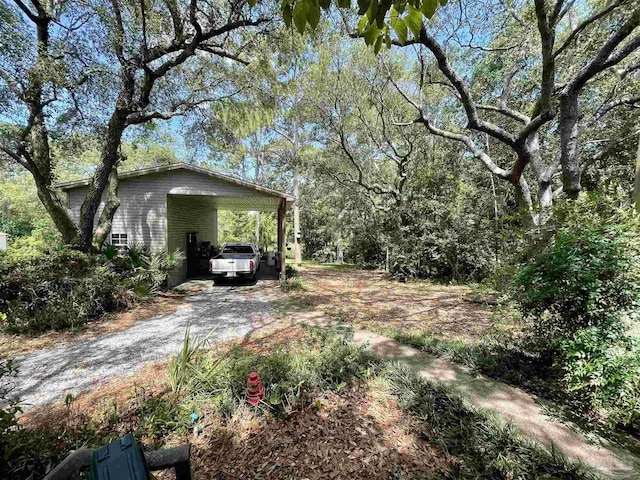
(66, 288)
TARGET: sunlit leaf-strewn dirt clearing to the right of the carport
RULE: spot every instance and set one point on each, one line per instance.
(372, 301)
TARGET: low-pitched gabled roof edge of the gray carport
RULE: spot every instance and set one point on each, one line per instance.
(264, 199)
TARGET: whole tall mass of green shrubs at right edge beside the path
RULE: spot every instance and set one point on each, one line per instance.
(582, 293)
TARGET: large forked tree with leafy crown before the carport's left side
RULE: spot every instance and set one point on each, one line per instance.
(103, 67)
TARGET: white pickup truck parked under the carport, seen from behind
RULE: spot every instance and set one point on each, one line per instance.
(236, 260)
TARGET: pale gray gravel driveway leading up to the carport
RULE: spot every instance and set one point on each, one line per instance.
(51, 374)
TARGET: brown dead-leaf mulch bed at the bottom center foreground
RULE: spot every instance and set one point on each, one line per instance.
(357, 433)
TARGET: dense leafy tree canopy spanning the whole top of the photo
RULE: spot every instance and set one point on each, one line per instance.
(436, 152)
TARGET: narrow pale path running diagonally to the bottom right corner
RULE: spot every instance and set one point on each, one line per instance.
(508, 403)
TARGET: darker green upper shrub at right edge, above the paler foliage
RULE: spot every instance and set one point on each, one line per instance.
(587, 275)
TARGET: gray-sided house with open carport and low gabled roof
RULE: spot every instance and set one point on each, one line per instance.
(160, 206)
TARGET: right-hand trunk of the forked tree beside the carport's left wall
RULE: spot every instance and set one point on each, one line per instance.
(108, 159)
